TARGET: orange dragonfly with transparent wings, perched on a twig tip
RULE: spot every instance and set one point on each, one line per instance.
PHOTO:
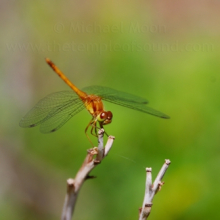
(53, 111)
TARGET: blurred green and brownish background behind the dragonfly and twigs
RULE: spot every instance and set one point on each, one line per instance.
(165, 51)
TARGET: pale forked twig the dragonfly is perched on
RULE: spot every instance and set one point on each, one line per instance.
(74, 185)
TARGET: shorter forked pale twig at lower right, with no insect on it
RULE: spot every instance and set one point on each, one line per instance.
(151, 190)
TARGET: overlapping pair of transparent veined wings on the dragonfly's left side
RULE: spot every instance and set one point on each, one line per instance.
(53, 111)
